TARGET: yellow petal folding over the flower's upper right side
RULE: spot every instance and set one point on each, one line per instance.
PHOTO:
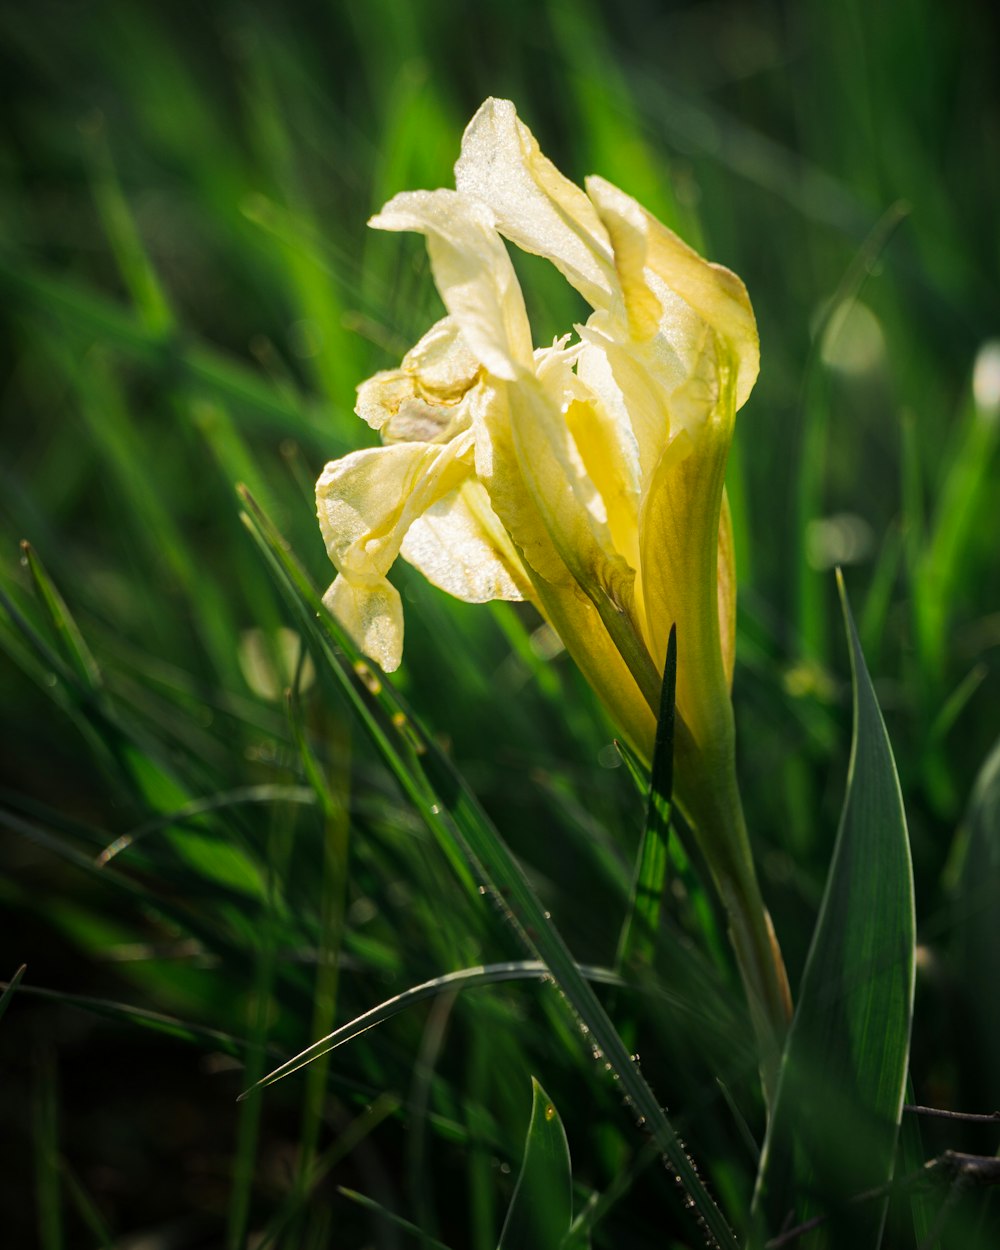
(643, 246)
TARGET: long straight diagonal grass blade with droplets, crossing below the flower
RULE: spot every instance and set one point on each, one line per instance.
(479, 856)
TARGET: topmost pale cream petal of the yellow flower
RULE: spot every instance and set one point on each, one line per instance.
(536, 207)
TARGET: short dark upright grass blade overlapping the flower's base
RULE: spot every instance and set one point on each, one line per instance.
(638, 939)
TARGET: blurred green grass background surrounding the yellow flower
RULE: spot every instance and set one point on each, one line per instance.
(189, 299)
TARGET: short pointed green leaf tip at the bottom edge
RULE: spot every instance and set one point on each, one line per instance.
(541, 1212)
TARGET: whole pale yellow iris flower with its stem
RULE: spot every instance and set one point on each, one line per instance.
(586, 477)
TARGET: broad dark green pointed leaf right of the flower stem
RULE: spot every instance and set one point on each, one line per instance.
(833, 1132)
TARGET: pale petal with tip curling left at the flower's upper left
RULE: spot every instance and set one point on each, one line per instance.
(473, 273)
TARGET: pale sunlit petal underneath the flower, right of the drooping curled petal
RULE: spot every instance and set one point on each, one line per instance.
(462, 548)
